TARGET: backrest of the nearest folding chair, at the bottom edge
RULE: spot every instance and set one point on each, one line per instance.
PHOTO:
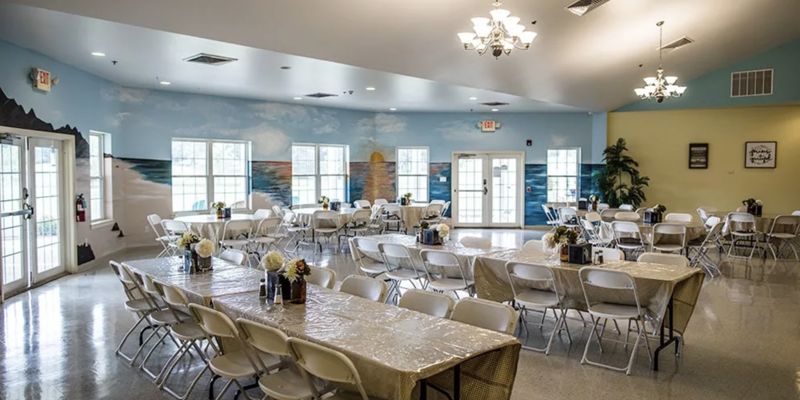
(326, 364)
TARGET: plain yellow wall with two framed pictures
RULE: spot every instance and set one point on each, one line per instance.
(659, 141)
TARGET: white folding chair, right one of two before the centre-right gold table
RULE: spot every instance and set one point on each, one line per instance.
(615, 281)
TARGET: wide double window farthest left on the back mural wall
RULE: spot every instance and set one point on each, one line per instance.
(196, 182)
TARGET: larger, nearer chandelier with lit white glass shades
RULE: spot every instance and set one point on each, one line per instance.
(500, 34)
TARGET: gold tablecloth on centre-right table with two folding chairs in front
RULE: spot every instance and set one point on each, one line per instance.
(655, 284)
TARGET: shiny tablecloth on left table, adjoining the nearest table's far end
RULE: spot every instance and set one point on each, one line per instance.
(225, 278)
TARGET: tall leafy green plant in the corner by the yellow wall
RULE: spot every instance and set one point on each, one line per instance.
(619, 182)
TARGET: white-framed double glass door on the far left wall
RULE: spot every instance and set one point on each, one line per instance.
(32, 209)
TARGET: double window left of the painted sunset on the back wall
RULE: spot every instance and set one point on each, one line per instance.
(318, 170)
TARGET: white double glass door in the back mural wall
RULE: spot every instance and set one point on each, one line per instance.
(487, 189)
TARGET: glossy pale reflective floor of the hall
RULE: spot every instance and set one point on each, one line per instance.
(743, 342)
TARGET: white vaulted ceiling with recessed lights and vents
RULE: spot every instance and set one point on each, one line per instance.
(407, 49)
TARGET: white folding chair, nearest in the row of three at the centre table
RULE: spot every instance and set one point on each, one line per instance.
(445, 272)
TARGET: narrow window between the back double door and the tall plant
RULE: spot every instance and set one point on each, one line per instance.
(562, 175)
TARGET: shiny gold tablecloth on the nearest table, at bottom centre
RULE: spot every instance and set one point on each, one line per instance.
(391, 347)
